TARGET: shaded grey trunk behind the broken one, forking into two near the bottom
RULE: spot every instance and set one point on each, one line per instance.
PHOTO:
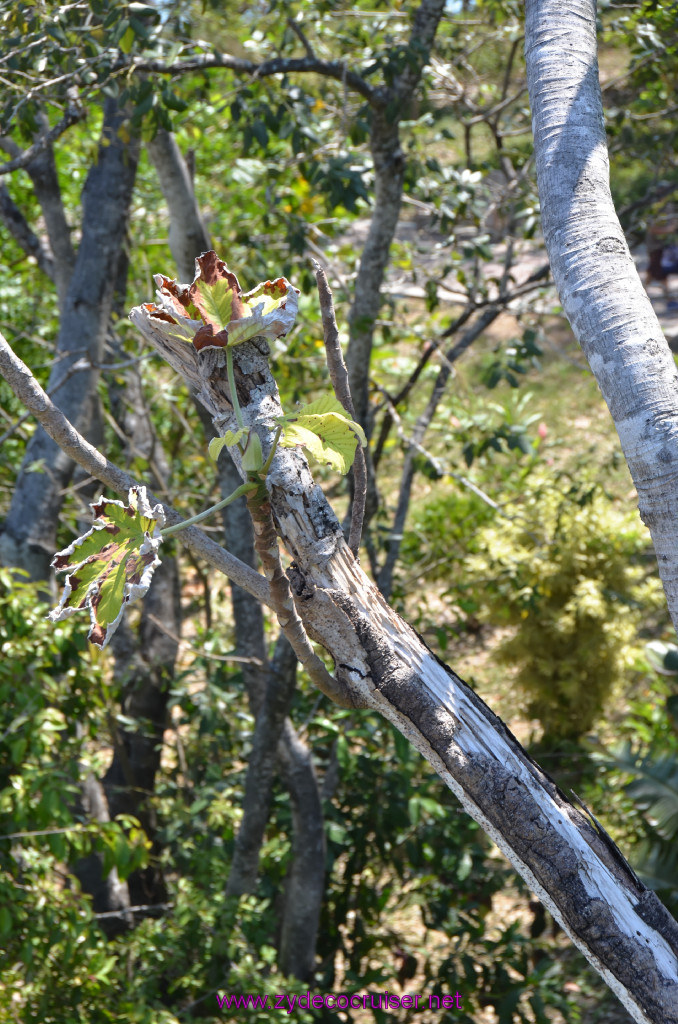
(276, 744)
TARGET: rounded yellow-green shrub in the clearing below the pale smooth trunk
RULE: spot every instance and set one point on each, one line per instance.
(563, 567)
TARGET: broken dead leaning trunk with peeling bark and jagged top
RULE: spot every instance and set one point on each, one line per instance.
(581, 878)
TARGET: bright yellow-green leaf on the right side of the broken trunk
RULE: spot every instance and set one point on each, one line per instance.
(327, 433)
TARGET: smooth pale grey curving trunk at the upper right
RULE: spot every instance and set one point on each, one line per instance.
(595, 273)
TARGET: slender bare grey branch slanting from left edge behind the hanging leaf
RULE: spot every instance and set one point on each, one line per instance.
(77, 448)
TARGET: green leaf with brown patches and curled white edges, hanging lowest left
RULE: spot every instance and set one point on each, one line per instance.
(112, 565)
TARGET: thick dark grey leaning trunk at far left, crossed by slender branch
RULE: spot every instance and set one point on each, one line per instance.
(29, 536)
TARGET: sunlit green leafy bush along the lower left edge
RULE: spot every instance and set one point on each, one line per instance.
(57, 965)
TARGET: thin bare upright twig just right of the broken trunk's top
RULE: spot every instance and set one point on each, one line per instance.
(340, 377)
